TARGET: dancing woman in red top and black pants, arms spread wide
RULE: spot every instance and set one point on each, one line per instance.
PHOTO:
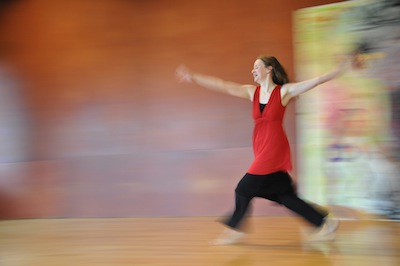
(268, 176)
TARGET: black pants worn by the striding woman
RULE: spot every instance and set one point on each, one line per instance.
(276, 187)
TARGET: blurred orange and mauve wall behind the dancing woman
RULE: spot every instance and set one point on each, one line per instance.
(95, 123)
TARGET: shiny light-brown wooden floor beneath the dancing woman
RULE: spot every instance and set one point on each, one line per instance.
(184, 241)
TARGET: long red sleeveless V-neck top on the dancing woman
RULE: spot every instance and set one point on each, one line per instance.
(270, 144)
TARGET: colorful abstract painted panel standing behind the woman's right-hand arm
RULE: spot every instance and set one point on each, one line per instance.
(349, 128)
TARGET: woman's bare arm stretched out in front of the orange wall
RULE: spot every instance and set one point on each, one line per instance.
(214, 83)
